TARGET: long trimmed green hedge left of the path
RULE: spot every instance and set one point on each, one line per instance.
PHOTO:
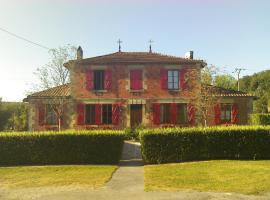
(68, 147)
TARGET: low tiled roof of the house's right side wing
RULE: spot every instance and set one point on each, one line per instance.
(219, 91)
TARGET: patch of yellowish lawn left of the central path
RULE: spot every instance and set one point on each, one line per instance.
(35, 176)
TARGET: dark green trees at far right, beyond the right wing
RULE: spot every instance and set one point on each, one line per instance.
(258, 84)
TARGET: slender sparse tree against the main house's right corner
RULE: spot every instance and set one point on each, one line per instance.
(204, 95)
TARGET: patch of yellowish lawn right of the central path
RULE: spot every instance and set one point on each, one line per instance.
(247, 177)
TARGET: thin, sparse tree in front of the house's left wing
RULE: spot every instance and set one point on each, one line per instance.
(55, 74)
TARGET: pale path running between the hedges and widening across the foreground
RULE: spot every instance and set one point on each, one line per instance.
(127, 183)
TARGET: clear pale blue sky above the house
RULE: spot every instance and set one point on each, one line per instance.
(226, 33)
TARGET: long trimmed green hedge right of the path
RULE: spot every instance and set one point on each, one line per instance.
(190, 144)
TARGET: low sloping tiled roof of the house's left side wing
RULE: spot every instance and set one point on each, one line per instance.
(59, 91)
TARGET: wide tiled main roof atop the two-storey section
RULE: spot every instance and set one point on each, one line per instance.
(138, 58)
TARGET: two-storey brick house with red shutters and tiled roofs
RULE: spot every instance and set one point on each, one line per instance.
(126, 89)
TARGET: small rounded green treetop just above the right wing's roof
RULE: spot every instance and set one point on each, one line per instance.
(225, 81)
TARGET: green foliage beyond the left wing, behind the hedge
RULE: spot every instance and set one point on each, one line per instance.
(13, 116)
